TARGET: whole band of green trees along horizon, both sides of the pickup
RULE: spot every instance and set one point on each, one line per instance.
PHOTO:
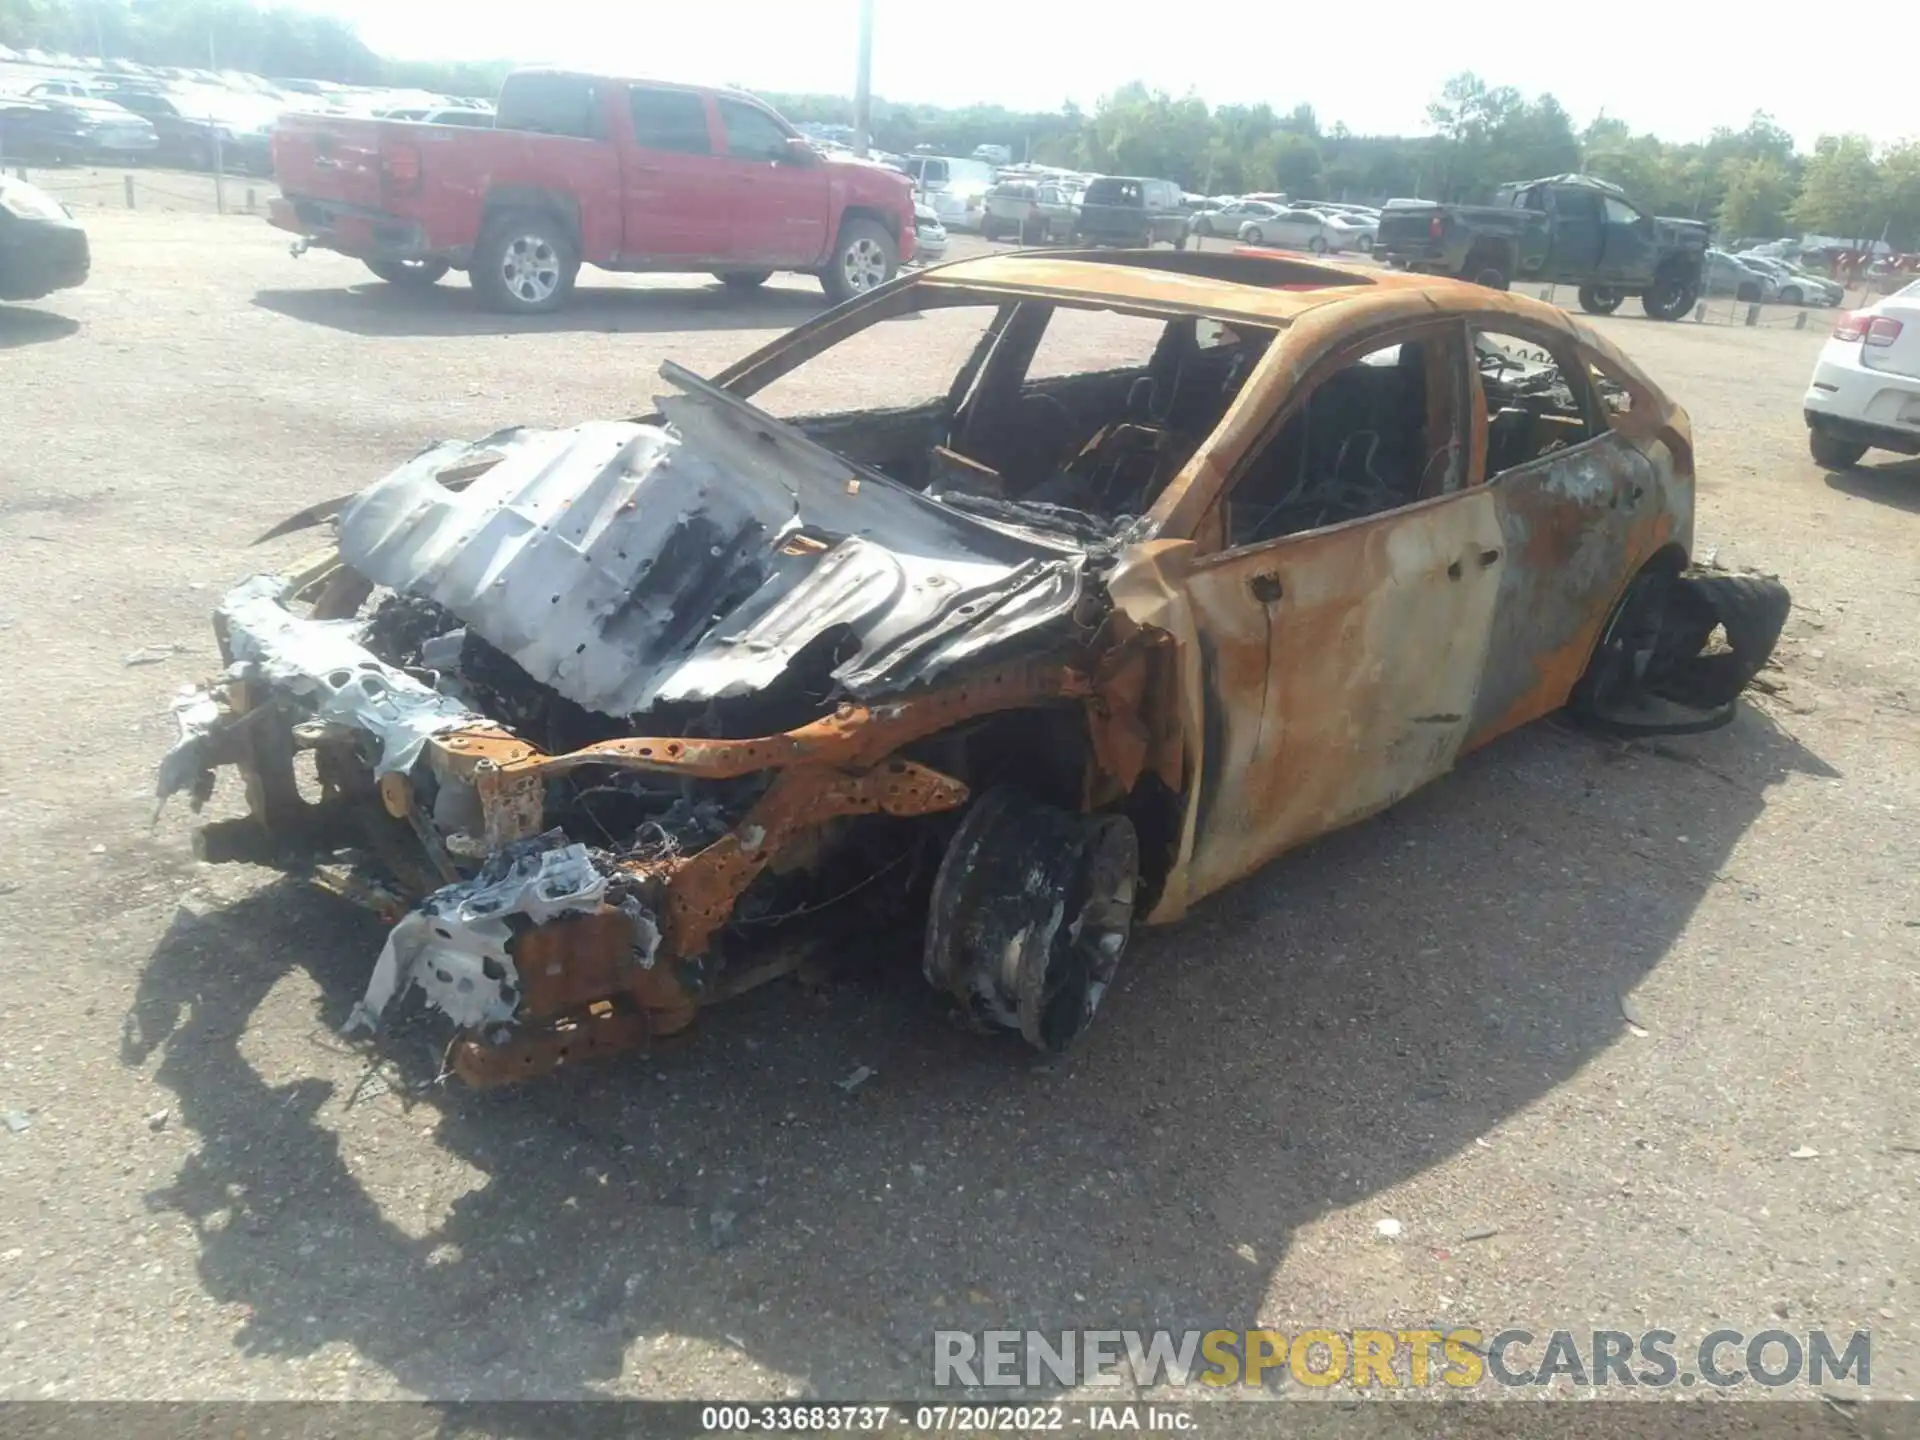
(1744, 181)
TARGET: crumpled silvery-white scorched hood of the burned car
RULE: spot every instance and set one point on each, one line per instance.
(627, 565)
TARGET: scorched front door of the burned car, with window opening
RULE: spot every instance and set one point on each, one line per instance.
(1345, 617)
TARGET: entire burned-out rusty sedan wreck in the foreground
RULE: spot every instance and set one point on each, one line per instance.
(608, 721)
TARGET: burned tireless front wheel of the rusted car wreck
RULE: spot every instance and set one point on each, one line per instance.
(1032, 913)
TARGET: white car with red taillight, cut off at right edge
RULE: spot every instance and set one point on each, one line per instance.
(1865, 389)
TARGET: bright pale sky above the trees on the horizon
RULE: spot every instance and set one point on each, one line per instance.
(1671, 68)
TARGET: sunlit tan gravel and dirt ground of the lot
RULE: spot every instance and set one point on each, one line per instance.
(206, 1193)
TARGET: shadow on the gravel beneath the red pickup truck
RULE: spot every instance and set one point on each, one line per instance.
(450, 310)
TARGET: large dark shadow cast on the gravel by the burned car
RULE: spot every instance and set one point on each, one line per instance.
(1351, 1017)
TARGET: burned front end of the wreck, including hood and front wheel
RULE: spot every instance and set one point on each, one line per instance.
(629, 704)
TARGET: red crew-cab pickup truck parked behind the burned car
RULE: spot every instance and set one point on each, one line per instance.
(629, 176)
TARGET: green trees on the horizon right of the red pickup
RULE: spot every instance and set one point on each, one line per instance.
(1744, 181)
